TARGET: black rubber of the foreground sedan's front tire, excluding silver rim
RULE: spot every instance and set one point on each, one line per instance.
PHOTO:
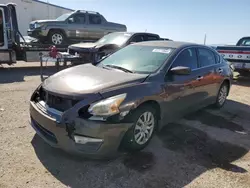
(128, 141)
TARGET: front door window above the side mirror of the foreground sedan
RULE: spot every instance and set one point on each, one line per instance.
(187, 58)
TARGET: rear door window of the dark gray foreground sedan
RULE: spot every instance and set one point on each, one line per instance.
(206, 57)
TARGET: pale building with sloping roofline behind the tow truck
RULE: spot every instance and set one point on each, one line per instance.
(30, 10)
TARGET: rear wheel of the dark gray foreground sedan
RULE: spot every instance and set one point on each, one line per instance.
(222, 95)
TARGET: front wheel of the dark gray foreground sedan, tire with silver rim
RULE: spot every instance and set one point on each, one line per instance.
(131, 140)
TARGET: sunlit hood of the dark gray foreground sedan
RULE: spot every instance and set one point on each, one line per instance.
(88, 79)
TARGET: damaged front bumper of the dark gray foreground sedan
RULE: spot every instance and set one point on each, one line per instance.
(86, 137)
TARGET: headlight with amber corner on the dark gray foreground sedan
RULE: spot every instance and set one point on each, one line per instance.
(107, 107)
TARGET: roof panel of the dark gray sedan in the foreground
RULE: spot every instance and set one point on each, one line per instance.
(162, 43)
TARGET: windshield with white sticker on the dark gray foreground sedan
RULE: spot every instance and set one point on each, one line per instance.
(139, 59)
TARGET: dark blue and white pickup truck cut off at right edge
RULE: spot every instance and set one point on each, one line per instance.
(238, 55)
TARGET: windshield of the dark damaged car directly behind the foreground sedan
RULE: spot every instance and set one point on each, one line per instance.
(114, 38)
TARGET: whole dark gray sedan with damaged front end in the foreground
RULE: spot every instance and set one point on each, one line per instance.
(121, 101)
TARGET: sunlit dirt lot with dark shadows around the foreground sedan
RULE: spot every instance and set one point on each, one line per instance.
(206, 149)
